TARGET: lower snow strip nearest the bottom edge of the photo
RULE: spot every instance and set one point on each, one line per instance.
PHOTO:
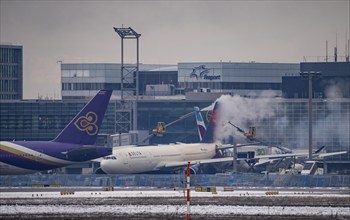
(175, 209)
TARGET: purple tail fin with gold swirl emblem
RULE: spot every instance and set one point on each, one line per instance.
(83, 129)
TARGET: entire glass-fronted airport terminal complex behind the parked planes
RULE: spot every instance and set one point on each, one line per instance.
(167, 92)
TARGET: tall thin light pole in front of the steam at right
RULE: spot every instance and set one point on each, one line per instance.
(310, 75)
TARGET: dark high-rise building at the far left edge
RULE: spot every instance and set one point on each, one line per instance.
(11, 72)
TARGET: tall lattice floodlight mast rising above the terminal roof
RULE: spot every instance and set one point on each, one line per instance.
(129, 73)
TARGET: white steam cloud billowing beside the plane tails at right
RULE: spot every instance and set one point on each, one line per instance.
(331, 120)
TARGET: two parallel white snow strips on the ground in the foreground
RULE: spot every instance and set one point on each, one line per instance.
(213, 210)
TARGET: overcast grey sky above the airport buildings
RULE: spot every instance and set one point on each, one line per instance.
(172, 32)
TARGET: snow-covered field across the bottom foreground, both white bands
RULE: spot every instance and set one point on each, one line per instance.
(17, 204)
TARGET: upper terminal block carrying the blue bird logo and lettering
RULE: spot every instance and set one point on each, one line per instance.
(245, 79)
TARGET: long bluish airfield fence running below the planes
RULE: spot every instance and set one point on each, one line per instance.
(175, 180)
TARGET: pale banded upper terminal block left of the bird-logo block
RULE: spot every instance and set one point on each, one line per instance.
(85, 79)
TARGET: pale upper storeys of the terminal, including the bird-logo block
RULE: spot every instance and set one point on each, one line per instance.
(246, 79)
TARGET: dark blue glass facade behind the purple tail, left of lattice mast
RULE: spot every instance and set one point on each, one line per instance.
(42, 119)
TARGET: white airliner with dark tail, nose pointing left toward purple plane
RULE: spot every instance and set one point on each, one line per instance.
(165, 158)
